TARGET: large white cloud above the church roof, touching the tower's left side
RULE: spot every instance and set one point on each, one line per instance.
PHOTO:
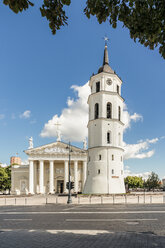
(73, 119)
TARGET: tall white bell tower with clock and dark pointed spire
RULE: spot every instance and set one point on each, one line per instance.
(105, 133)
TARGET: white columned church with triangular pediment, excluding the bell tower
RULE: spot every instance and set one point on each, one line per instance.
(47, 172)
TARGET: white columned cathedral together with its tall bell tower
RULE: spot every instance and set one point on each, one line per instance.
(98, 170)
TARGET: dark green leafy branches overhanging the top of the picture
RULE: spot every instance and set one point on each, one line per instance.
(145, 19)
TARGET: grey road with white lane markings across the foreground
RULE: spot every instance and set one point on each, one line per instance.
(82, 226)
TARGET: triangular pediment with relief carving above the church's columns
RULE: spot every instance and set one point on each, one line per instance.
(54, 148)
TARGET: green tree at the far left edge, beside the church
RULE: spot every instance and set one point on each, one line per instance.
(5, 178)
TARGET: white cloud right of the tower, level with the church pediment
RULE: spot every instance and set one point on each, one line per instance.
(139, 150)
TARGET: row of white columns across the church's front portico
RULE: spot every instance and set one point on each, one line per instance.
(51, 176)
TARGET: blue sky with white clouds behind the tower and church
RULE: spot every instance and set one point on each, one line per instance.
(44, 79)
